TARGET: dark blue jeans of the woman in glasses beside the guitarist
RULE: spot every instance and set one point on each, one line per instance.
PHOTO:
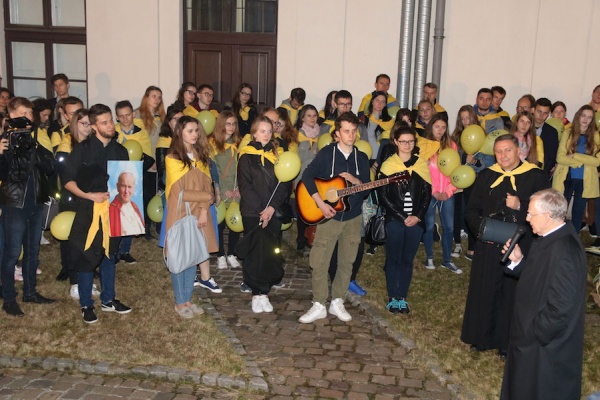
(400, 249)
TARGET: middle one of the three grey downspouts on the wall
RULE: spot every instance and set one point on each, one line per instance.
(422, 50)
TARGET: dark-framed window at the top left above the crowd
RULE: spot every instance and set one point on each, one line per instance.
(43, 38)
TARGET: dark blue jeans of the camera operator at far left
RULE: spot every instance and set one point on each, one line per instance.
(22, 227)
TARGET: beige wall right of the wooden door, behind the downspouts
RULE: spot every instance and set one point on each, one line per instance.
(544, 48)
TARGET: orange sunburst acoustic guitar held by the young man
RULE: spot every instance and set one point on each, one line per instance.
(334, 192)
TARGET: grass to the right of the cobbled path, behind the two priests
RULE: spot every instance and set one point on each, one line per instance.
(437, 300)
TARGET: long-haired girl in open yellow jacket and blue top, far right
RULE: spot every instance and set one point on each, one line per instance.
(577, 161)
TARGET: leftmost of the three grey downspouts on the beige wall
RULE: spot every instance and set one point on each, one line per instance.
(405, 56)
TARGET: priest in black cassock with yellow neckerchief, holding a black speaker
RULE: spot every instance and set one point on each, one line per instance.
(502, 191)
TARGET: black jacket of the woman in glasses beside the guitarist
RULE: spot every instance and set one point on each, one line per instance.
(391, 198)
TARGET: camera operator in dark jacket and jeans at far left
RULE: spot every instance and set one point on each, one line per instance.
(24, 169)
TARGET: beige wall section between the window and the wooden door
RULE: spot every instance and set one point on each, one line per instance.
(131, 45)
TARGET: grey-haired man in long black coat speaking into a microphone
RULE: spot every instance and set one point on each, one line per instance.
(545, 351)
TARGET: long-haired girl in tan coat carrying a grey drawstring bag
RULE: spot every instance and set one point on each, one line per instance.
(188, 171)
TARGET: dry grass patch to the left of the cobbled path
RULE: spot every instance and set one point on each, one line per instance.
(152, 334)
